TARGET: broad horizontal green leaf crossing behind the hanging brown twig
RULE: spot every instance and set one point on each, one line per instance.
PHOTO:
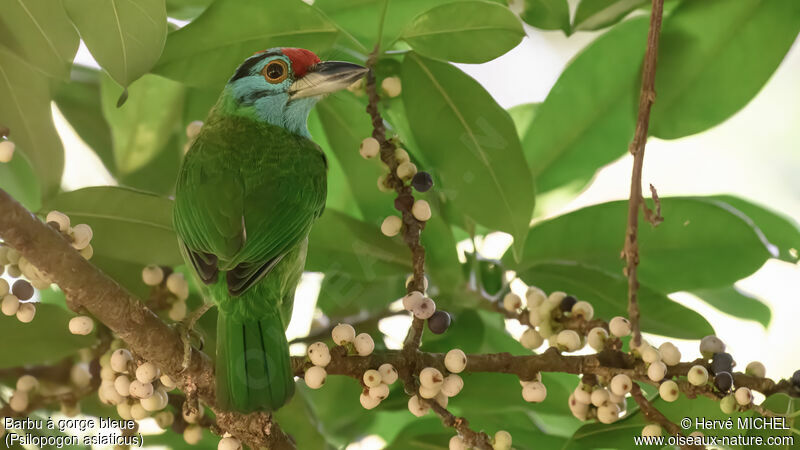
(712, 246)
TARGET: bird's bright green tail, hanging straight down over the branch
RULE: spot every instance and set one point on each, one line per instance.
(253, 366)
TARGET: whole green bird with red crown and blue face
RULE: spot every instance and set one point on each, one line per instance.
(249, 189)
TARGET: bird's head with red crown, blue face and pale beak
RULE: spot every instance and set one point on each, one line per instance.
(281, 85)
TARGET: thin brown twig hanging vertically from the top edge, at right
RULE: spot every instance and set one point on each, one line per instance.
(646, 99)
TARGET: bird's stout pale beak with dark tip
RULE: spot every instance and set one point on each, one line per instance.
(326, 77)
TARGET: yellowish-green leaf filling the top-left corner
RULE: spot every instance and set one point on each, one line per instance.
(40, 32)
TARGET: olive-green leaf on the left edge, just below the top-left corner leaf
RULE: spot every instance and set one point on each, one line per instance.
(25, 110)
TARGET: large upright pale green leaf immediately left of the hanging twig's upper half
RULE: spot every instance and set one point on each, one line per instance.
(588, 118)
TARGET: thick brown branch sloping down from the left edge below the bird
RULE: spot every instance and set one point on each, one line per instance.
(147, 335)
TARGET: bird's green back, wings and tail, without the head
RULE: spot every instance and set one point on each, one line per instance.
(247, 195)
